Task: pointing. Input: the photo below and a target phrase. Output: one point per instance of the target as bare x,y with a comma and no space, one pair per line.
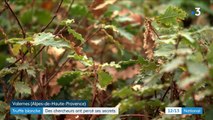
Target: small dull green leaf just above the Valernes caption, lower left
22,88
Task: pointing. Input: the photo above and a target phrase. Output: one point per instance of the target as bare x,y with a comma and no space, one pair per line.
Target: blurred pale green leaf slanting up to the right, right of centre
175,63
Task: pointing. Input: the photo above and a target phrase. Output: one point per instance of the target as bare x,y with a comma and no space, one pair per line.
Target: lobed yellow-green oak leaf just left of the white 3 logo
171,16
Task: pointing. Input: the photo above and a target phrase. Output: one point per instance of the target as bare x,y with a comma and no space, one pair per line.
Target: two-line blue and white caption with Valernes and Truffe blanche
37,107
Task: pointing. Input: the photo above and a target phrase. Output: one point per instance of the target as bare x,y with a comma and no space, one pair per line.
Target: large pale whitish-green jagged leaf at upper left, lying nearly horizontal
48,39
